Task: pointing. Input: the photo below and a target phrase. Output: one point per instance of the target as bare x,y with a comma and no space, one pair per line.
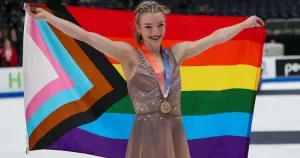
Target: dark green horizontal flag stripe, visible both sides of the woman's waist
203,102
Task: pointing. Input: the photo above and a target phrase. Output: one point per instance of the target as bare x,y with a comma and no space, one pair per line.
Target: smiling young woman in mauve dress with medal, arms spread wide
152,74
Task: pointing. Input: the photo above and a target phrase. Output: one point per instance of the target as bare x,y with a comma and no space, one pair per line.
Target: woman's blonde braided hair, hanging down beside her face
145,7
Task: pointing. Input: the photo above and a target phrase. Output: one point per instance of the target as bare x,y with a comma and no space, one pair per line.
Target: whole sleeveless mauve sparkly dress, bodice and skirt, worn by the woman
156,134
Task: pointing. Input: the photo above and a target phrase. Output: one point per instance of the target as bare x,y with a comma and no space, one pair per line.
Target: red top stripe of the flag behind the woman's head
111,23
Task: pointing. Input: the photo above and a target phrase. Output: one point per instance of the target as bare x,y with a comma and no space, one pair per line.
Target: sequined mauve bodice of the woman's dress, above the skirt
144,89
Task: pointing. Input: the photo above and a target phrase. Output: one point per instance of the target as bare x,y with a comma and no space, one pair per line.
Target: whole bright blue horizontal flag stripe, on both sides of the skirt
118,126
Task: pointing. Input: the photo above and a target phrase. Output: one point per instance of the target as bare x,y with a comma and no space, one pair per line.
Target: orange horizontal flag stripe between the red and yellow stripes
243,51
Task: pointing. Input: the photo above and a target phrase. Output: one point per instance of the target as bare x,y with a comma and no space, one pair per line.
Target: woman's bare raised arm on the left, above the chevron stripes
120,51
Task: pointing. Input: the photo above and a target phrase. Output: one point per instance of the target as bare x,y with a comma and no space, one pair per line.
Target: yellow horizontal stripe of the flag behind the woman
216,77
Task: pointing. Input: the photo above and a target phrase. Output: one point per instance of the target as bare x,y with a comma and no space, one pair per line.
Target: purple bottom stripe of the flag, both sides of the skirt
84,142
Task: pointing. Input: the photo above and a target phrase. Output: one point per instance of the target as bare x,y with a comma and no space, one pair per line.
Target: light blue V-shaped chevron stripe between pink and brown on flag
82,84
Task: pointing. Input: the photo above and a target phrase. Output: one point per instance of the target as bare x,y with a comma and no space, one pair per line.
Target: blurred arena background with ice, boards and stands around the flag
276,124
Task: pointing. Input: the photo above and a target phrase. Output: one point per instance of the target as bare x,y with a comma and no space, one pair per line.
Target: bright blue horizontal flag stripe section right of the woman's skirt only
224,124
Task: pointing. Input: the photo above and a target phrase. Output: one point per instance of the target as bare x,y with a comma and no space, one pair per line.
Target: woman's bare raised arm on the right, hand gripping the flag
185,50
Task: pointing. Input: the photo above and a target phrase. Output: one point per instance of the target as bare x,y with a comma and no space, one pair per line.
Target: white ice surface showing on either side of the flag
272,114
